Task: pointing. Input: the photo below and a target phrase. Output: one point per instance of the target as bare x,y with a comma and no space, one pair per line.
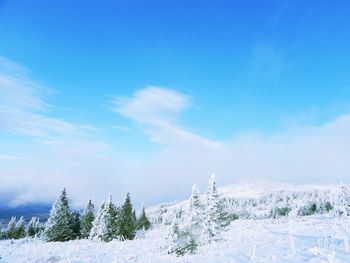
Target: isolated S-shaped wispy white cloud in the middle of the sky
157,111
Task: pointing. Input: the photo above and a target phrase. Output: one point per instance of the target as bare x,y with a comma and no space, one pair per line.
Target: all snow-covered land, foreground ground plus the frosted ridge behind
320,237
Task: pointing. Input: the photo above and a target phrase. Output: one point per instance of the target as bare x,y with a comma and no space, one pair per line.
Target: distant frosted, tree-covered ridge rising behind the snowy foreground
258,200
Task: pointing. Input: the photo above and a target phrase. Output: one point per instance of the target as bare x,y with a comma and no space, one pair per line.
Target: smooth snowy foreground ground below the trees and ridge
304,239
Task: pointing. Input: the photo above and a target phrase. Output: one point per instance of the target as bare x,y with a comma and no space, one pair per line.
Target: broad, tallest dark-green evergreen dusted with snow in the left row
59,225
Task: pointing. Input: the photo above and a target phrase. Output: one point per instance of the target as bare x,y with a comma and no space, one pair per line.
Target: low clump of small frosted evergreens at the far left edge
17,229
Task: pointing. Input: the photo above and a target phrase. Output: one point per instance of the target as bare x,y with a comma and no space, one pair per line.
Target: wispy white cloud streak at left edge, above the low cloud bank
23,109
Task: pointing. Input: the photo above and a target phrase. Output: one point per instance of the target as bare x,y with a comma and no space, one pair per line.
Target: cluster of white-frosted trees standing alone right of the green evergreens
202,223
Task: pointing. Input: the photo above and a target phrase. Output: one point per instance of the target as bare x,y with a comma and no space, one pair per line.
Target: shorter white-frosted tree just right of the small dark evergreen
99,229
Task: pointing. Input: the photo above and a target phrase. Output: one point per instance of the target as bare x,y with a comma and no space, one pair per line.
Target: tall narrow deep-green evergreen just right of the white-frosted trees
126,221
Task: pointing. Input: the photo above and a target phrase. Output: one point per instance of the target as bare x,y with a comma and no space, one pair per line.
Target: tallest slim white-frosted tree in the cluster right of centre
213,212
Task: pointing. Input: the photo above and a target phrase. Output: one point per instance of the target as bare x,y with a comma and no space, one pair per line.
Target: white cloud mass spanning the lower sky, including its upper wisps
58,153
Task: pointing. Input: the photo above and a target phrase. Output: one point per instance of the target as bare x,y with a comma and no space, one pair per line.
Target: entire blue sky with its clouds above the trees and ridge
208,73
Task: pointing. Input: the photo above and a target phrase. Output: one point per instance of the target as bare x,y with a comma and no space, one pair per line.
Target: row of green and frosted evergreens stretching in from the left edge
111,222
